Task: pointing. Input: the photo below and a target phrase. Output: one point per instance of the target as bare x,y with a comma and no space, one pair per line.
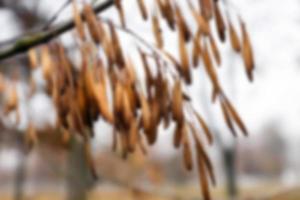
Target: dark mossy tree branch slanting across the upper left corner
23,44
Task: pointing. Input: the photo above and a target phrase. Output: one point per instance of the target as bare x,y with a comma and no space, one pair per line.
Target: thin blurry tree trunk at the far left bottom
19,182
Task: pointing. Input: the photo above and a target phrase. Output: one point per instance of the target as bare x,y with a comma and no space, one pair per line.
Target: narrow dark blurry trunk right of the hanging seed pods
229,159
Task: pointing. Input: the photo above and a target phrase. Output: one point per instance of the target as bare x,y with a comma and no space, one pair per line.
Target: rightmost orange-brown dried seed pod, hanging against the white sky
247,52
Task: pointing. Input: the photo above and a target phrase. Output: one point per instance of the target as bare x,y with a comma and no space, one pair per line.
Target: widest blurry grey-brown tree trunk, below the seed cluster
79,177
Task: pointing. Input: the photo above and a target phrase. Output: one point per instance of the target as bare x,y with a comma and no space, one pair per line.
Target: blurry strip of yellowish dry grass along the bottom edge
261,192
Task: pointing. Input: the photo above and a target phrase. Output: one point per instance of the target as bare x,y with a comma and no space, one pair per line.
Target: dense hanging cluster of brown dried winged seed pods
106,84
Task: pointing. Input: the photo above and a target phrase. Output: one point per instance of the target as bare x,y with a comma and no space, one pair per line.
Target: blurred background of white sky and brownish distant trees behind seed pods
266,165
